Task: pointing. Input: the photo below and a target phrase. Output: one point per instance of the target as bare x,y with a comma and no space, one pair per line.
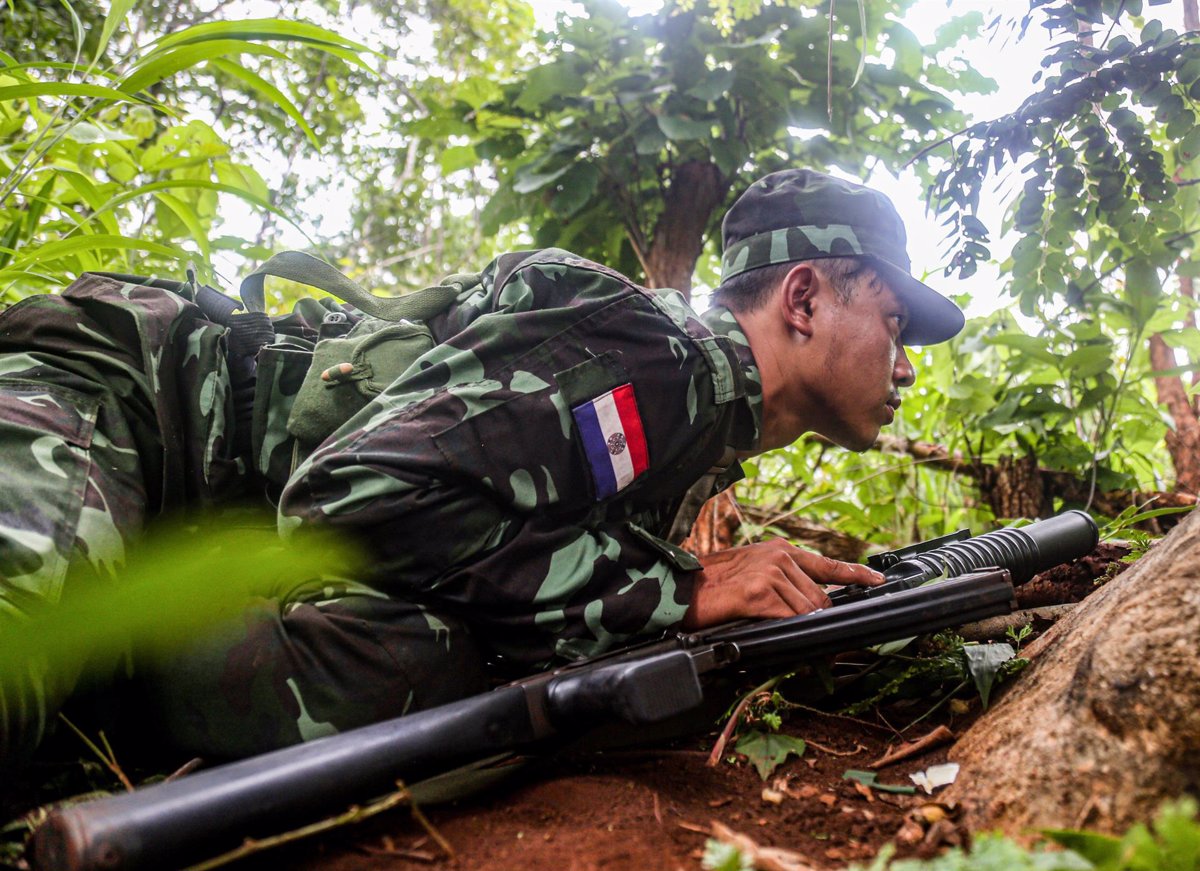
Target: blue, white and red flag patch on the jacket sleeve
614,440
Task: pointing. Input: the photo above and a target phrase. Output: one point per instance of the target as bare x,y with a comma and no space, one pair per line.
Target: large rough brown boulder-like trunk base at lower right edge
1106,724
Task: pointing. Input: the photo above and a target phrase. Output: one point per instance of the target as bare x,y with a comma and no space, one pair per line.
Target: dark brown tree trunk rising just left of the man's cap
697,190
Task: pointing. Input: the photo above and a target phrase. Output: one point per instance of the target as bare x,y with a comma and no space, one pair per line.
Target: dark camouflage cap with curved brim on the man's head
805,215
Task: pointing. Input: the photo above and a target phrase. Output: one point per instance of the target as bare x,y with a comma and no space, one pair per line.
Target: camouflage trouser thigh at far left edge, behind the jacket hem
71,500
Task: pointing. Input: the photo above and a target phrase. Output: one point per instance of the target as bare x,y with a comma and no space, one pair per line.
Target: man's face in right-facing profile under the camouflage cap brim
862,363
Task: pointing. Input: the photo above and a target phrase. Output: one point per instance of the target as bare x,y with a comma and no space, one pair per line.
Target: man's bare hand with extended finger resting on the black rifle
772,579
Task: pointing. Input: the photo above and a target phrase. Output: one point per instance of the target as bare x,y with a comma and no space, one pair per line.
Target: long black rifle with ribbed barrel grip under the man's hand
203,815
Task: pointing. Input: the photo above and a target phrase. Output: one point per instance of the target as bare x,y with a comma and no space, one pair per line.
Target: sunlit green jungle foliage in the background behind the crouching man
125,139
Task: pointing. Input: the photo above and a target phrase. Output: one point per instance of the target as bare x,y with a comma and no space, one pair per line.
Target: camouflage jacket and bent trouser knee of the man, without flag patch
489,532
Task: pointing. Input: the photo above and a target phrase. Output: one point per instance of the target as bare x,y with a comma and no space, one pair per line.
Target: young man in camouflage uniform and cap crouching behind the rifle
521,491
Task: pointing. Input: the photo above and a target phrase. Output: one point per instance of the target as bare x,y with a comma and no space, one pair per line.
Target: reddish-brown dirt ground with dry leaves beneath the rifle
656,808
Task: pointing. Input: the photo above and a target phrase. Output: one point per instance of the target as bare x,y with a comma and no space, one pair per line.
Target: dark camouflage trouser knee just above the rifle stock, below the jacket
290,672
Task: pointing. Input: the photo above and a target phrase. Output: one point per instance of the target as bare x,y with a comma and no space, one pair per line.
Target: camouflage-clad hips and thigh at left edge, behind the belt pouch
115,409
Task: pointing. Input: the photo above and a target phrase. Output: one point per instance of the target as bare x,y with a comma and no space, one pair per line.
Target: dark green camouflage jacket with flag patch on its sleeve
529,472
